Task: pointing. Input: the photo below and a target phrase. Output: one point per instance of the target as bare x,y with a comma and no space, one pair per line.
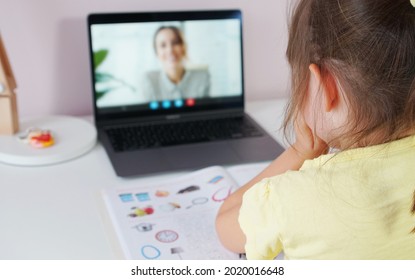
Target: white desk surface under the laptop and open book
55,212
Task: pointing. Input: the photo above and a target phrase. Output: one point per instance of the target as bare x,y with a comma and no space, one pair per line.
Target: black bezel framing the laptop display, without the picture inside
234,103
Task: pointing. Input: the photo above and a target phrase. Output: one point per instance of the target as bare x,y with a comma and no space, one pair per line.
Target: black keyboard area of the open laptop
135,137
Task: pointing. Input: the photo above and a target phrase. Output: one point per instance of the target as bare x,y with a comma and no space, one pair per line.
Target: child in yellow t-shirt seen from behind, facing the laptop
353,89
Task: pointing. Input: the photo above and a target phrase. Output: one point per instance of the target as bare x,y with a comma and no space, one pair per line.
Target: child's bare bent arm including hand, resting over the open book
306,147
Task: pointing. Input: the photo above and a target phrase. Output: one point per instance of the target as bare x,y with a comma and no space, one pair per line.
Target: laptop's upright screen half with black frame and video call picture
163,63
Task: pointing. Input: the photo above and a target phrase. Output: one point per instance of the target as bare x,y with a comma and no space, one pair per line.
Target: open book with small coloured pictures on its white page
175,219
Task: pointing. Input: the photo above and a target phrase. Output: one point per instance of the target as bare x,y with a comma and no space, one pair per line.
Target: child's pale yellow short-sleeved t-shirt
352,205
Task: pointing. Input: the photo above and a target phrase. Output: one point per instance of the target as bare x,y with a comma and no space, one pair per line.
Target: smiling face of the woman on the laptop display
169,48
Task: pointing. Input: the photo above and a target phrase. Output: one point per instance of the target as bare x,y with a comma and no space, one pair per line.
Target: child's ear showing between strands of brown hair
327,86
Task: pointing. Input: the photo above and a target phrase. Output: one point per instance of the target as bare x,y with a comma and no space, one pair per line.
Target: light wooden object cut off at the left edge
9,122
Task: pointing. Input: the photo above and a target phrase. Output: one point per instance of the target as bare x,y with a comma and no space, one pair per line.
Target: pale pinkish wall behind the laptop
46,41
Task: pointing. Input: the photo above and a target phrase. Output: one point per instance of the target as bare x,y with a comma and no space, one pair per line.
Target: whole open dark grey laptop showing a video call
168,92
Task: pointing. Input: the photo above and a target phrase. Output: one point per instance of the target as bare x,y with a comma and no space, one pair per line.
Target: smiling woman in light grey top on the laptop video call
174,81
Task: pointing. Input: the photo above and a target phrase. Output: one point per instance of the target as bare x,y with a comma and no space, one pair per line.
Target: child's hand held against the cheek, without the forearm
307,145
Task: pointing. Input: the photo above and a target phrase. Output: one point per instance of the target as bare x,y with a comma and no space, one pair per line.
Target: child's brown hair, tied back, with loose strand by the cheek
369,47
